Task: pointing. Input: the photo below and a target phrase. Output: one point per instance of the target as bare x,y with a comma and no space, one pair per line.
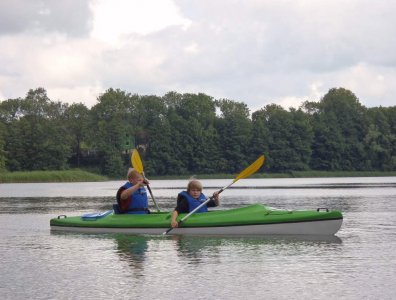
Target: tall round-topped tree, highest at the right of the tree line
340,128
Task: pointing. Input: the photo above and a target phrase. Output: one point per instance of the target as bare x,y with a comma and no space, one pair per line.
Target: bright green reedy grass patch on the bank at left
75,175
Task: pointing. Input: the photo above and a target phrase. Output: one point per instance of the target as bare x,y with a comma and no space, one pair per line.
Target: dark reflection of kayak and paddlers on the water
196,250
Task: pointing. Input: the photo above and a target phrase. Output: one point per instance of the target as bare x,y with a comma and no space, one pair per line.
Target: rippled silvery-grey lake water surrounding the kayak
358,263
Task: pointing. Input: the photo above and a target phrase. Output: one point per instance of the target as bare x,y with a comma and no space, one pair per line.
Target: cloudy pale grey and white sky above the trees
254,51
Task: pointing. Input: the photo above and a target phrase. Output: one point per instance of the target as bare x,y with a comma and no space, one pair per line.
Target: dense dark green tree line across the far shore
195,134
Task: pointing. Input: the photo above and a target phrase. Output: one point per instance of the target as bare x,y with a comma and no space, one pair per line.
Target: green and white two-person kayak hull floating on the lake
251,220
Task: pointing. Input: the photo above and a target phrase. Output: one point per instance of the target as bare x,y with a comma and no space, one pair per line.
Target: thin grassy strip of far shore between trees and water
78,175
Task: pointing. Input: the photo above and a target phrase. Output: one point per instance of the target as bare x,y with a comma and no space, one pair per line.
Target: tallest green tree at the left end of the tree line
36,135
